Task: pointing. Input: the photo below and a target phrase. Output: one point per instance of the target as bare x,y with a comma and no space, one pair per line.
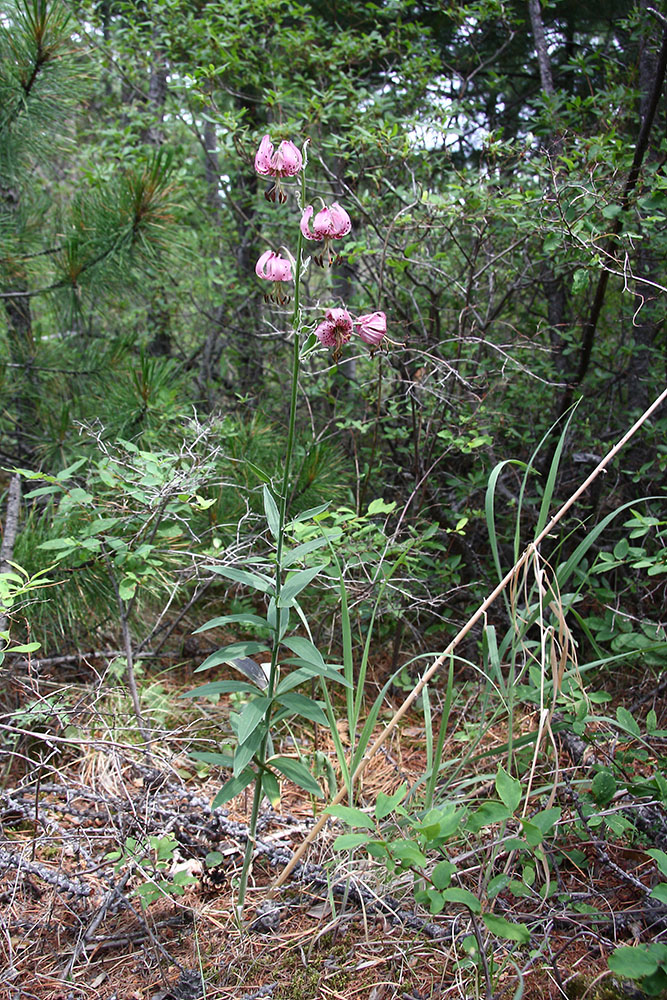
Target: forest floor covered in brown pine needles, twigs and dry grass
72,920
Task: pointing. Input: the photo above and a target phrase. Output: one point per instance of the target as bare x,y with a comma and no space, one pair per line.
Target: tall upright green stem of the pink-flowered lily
277,633
